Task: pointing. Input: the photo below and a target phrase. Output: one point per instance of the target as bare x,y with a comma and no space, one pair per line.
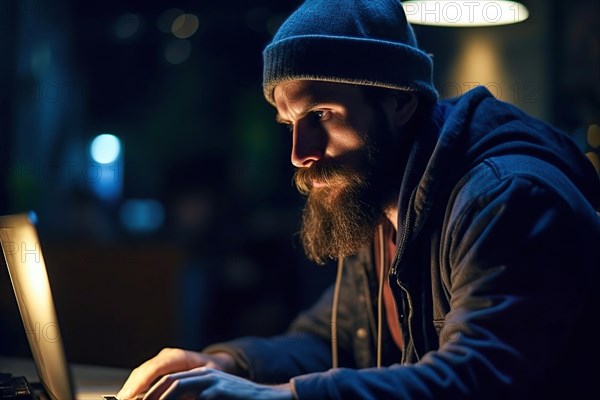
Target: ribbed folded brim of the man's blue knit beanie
348,60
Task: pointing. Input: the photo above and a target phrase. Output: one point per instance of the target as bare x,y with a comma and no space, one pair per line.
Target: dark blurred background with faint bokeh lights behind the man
190,236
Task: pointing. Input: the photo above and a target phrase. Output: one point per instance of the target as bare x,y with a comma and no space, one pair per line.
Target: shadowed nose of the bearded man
308,145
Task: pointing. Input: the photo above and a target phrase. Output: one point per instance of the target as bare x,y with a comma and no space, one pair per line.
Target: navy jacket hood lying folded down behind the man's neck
465,131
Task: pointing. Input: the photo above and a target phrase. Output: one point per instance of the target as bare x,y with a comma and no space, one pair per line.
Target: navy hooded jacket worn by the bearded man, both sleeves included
493,278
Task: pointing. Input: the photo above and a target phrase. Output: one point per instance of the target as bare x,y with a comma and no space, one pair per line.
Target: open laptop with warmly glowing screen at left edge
27,270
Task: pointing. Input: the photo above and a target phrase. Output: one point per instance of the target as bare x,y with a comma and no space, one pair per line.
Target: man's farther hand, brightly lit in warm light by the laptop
168,361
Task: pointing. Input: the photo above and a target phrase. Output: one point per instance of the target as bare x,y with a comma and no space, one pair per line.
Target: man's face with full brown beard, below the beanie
340,146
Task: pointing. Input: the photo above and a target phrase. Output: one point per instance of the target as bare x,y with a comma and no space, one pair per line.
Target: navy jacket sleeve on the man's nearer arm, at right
519,260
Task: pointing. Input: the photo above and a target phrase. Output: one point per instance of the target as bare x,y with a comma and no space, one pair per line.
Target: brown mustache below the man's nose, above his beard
327,173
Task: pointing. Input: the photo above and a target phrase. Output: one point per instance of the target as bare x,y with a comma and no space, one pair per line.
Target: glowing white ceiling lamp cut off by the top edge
464,13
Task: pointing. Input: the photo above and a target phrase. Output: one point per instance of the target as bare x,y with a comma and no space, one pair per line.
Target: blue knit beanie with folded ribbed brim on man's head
365,42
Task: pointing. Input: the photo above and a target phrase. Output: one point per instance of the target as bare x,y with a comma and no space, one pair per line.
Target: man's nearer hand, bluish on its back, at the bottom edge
206,383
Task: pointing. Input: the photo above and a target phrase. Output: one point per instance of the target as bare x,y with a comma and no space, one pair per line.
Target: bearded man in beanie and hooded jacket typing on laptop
465,232
